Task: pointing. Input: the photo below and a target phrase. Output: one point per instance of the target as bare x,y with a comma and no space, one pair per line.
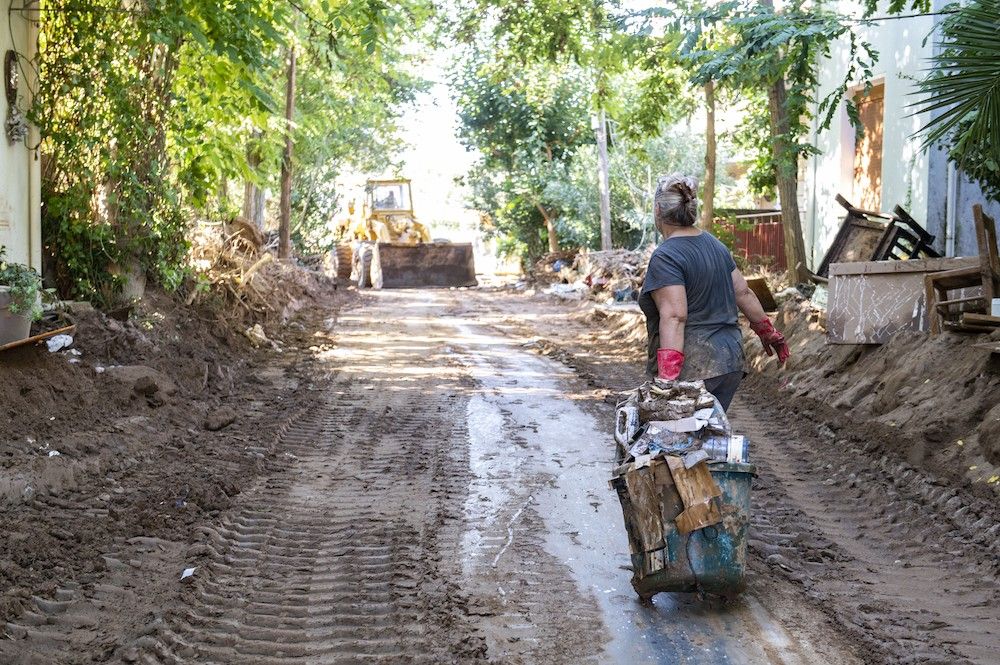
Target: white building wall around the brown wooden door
905,168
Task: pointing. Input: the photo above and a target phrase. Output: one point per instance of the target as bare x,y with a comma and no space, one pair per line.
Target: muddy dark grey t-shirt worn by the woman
713,342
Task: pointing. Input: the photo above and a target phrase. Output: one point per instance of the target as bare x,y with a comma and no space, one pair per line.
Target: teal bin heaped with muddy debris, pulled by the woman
684,485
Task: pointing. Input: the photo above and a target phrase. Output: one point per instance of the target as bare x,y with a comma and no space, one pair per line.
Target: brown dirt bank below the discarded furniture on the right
932,400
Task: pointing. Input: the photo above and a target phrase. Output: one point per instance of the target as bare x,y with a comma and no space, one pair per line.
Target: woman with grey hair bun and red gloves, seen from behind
691,297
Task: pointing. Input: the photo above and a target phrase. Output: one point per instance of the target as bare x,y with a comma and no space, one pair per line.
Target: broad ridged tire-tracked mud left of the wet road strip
346,556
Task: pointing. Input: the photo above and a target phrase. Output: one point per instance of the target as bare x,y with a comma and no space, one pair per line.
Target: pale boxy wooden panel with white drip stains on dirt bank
869,302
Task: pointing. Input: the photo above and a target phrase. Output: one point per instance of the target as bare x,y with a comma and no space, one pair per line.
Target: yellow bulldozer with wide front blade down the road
388,248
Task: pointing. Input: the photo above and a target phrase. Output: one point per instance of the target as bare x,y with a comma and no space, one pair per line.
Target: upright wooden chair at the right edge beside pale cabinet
986,276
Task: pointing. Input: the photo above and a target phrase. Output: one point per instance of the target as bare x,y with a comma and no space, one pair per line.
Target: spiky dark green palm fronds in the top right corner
962,91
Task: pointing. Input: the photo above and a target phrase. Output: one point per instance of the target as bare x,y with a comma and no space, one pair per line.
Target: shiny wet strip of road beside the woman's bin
530,443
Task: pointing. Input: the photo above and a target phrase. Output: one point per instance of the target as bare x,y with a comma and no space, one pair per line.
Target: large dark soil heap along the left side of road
141,429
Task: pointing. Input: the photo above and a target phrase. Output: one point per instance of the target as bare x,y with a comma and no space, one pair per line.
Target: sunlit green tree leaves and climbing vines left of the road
148,114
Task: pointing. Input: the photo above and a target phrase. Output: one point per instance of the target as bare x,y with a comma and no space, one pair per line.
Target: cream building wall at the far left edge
20,207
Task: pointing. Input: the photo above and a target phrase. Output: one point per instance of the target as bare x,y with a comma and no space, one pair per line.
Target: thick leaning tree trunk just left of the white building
786,175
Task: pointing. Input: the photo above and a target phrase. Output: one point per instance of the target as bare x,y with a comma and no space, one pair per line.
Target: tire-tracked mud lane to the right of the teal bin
900,562
